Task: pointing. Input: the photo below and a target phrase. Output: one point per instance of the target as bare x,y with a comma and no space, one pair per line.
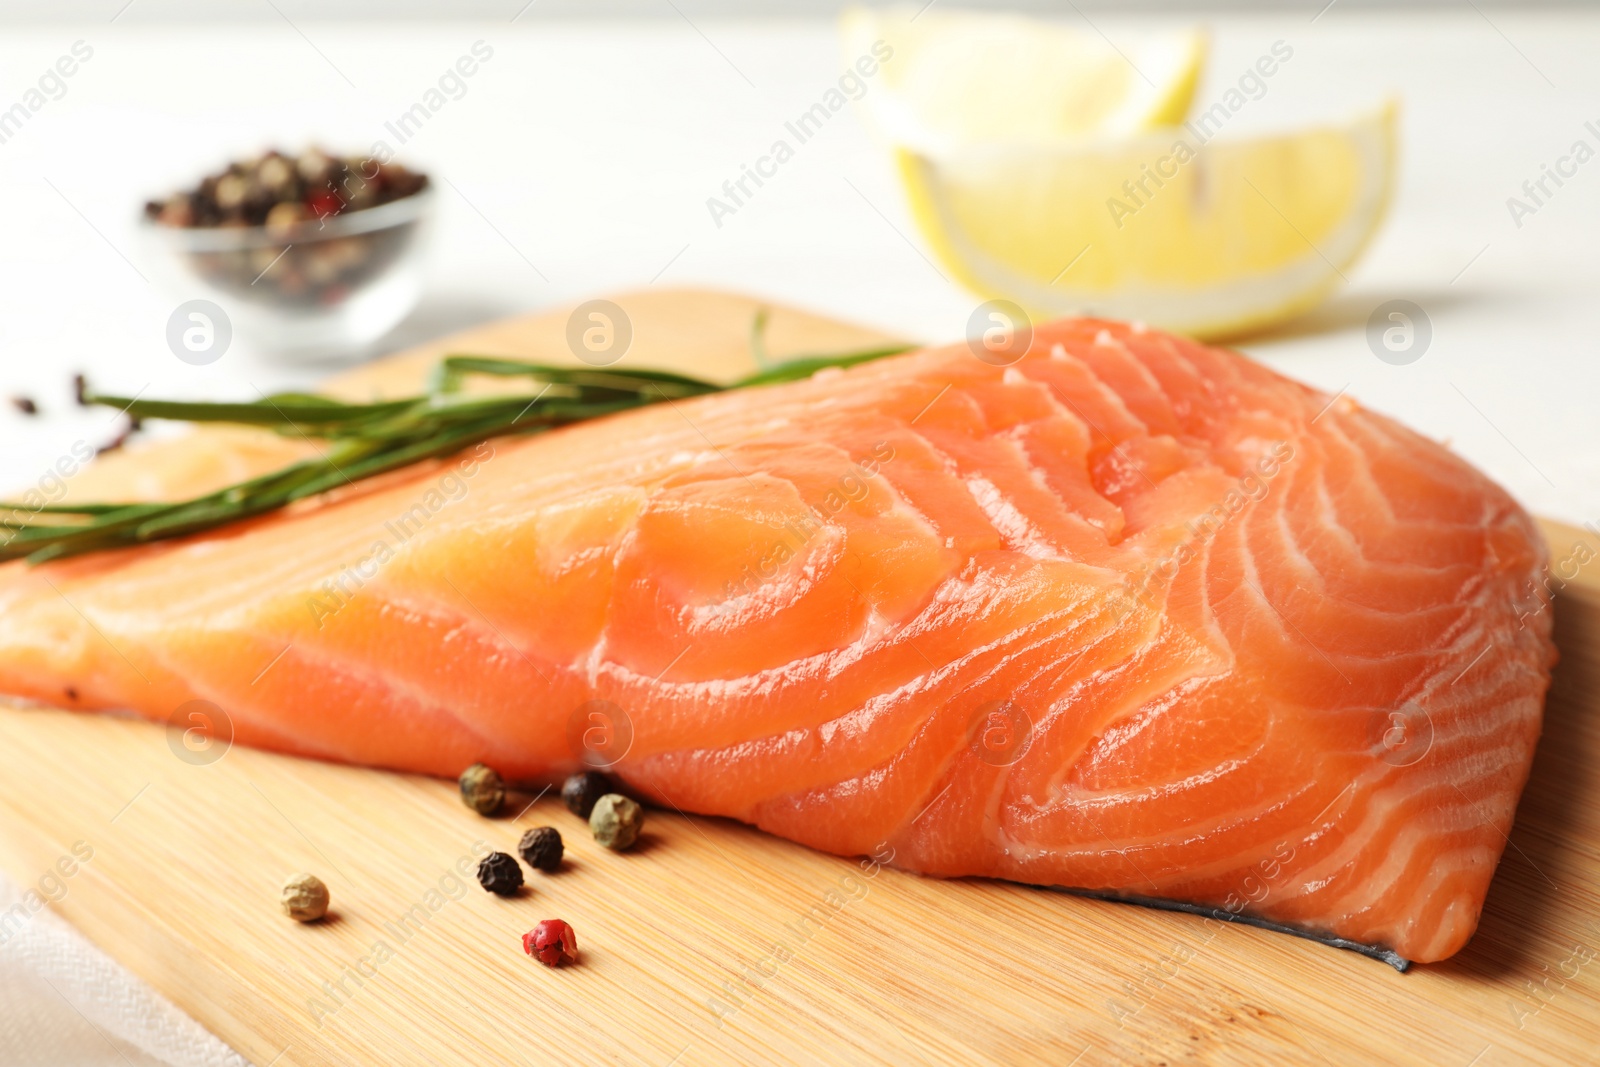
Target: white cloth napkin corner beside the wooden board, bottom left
66,1004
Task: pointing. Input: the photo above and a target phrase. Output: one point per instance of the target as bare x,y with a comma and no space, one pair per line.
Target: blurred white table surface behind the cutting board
585,154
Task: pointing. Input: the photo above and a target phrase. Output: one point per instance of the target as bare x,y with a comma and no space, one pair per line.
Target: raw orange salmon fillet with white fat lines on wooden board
1130,615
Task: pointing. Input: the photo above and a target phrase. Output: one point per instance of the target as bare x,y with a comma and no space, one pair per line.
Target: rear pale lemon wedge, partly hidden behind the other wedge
954,81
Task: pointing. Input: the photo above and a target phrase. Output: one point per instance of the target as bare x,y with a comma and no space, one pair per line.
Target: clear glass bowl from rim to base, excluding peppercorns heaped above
314,290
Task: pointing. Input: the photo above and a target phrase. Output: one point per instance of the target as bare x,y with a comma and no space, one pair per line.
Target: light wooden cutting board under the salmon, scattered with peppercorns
718,945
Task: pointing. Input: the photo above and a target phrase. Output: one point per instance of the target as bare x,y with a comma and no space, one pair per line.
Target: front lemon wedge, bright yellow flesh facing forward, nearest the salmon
1204,238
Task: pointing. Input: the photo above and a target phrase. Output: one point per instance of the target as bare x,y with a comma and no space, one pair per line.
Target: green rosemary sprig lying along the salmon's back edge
367,439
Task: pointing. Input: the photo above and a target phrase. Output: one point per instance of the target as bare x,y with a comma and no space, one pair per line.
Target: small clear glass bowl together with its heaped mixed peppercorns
308,255
